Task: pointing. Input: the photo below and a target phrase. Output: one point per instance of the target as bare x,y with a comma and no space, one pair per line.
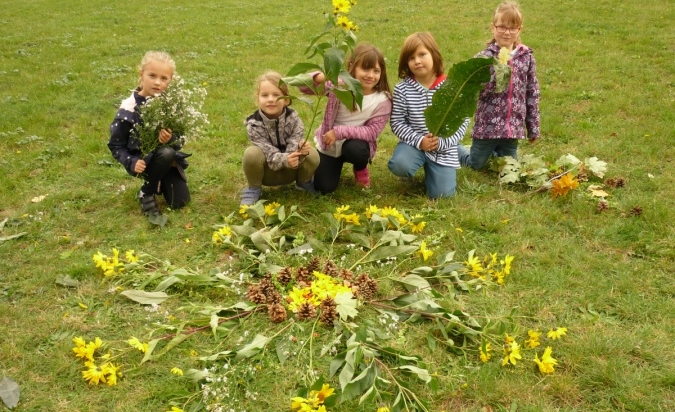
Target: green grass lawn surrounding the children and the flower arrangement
606,76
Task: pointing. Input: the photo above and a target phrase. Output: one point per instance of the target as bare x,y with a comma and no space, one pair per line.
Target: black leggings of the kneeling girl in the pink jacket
327,175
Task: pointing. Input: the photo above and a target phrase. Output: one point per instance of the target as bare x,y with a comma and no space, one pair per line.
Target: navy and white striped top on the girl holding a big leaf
408,124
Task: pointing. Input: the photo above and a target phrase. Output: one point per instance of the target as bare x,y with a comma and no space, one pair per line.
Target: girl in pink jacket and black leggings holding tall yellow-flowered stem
350,135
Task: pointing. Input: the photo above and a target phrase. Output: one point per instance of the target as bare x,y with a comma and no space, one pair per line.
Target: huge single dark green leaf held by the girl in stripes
457,97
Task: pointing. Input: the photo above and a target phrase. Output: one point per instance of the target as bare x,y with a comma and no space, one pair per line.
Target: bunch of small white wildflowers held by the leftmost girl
178,108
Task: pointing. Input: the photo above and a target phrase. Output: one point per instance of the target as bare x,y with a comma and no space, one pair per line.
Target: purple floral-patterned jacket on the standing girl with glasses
506,115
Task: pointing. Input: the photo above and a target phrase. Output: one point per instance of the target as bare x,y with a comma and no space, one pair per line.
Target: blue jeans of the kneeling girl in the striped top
440,181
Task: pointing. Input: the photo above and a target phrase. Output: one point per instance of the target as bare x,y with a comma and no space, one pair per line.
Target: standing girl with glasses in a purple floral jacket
503,118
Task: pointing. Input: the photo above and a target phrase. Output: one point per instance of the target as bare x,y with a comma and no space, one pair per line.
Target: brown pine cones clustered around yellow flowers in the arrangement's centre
267,291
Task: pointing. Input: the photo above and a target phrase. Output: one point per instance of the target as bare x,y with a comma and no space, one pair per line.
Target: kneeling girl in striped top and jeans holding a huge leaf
421,68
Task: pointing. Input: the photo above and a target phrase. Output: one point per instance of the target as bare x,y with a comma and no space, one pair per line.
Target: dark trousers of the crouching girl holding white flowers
161,173
